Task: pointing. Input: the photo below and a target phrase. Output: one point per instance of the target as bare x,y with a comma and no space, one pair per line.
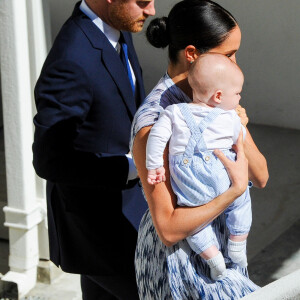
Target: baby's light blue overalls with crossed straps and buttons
198,176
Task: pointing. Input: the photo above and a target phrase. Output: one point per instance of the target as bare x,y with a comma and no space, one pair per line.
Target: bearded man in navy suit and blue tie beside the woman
87,94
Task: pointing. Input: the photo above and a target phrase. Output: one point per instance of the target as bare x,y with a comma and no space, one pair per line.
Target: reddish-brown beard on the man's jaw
122,21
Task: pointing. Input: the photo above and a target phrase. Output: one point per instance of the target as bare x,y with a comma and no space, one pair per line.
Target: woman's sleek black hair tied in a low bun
201,23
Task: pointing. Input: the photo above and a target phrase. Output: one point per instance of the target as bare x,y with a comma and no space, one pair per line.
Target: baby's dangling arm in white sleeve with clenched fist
158,138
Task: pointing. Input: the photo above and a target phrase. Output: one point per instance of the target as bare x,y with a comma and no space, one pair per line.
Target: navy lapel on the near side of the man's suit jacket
110,57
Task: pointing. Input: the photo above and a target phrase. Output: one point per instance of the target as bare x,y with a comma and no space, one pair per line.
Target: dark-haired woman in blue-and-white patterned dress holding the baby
166,266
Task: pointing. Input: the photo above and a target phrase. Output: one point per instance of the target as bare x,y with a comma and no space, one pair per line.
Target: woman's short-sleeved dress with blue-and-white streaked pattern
177,272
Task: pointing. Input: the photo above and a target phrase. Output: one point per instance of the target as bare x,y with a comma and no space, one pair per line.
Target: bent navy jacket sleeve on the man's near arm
63,99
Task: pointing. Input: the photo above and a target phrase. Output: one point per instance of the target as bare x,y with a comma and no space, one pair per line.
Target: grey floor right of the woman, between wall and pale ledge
274,244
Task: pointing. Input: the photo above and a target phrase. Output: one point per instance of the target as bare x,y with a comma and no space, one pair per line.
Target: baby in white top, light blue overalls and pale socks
194,131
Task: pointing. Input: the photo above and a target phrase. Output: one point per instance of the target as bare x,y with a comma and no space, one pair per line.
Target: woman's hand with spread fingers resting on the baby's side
237,170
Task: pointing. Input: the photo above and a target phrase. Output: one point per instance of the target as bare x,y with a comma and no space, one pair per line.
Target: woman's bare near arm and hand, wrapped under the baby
174,223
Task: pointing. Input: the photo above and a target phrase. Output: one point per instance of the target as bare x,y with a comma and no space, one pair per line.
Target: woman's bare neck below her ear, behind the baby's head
178,73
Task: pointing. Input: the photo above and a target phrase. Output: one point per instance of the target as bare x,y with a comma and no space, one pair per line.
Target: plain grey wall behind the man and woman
268,55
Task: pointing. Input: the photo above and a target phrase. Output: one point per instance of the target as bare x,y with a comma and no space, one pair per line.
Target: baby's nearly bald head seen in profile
216,81
